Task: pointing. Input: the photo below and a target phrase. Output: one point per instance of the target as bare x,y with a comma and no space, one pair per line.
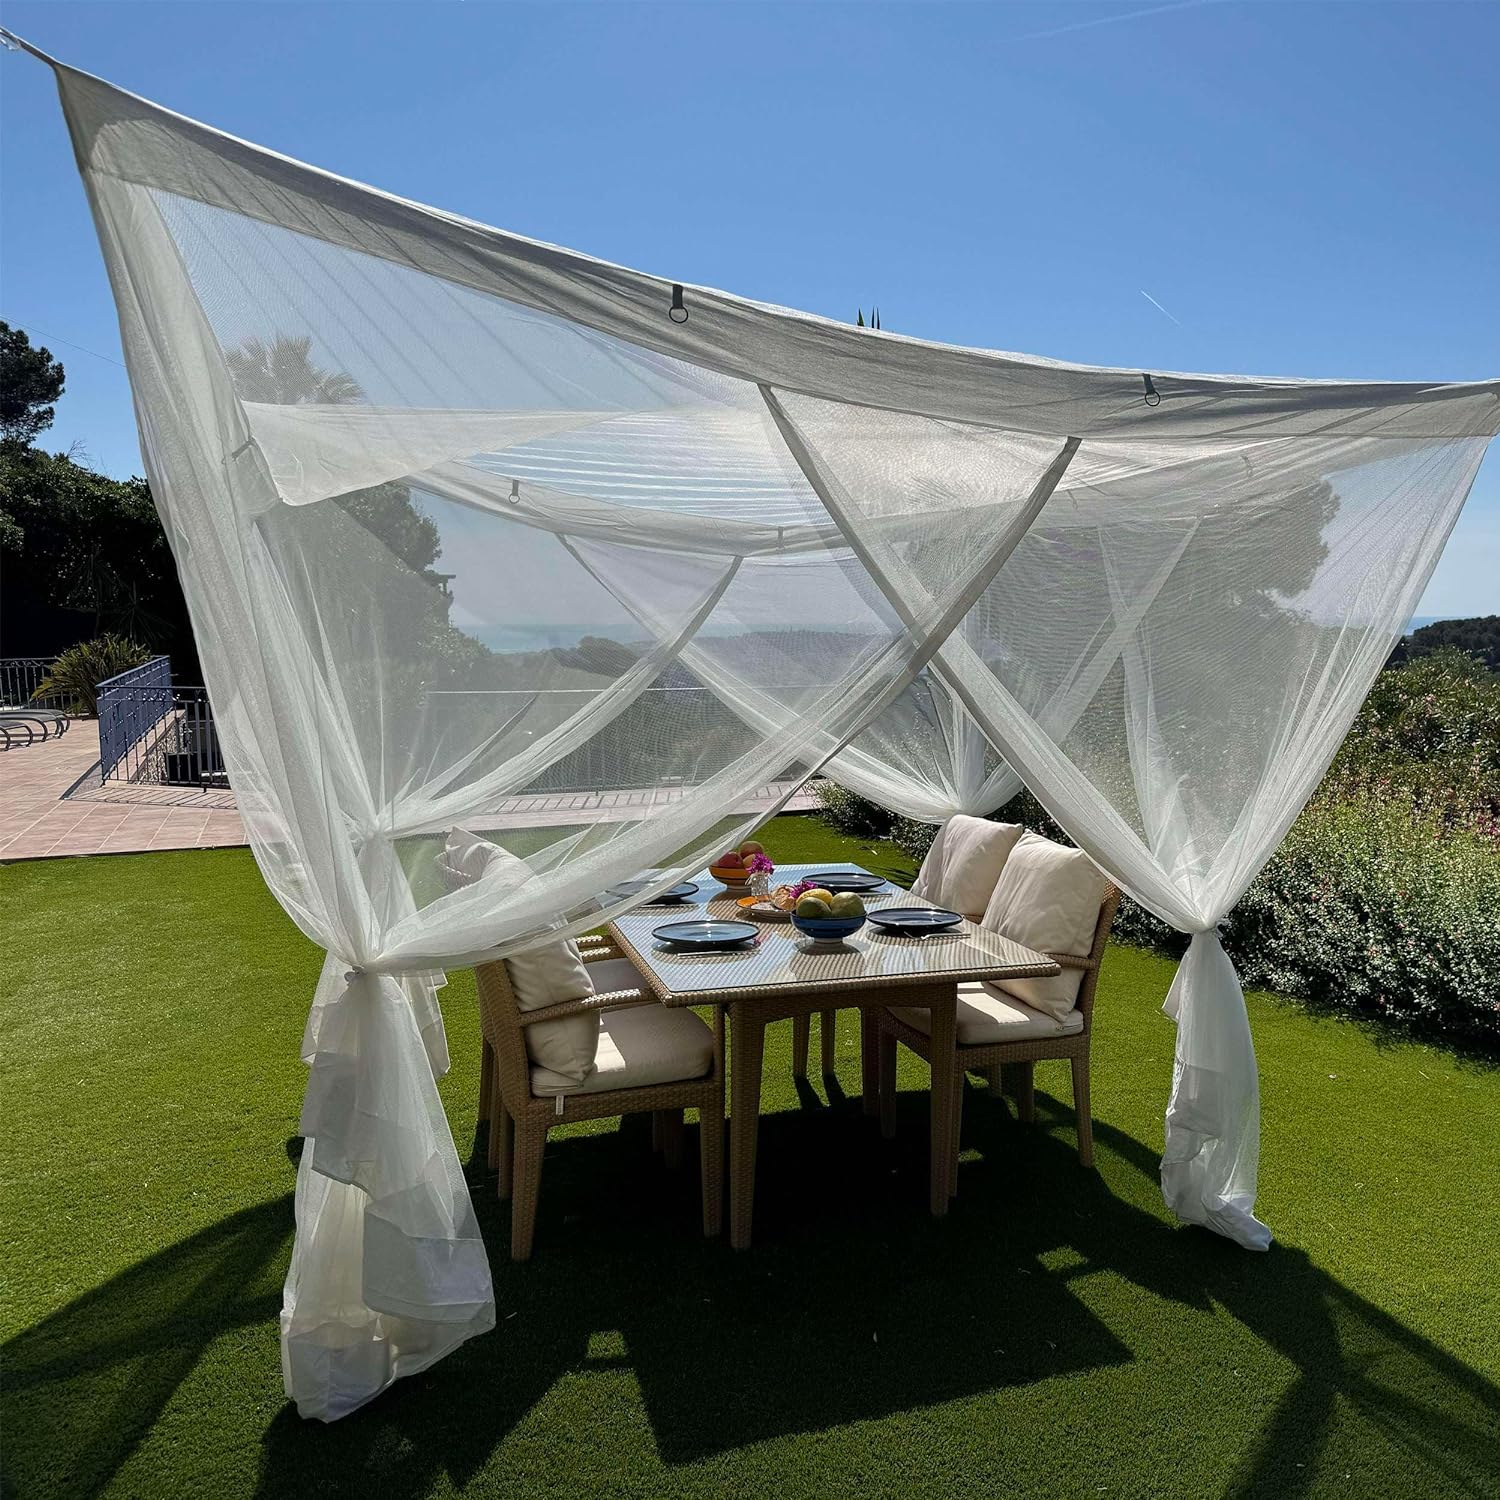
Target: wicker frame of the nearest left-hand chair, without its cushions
520,1120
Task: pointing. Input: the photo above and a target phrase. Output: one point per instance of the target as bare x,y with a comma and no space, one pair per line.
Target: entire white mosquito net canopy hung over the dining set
767,544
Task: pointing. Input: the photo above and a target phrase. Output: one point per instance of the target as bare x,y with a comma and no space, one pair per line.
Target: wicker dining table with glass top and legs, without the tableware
788,976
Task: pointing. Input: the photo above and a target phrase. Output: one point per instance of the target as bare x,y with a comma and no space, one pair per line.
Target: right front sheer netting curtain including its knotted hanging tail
1228,631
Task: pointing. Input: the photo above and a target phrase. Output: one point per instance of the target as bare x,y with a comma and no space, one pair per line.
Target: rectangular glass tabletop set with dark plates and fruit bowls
787,959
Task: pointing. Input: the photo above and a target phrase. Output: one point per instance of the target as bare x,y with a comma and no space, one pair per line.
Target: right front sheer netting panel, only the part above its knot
1184,647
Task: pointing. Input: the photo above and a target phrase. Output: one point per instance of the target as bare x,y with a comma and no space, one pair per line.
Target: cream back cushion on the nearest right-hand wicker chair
1048,898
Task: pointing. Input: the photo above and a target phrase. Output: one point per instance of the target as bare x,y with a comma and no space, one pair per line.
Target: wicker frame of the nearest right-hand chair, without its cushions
1019,1057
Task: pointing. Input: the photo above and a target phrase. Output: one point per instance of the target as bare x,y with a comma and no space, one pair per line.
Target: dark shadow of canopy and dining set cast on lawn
853,1306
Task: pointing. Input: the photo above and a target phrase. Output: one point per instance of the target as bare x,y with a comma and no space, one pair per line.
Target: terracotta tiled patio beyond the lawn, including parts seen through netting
53,805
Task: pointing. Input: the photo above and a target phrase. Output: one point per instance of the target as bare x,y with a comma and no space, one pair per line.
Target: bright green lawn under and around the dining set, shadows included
1055,1336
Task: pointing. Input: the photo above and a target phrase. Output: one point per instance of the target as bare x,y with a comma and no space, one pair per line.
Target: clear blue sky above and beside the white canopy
1222,185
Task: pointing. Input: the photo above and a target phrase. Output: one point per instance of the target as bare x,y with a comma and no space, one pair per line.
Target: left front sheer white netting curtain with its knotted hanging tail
487,556
